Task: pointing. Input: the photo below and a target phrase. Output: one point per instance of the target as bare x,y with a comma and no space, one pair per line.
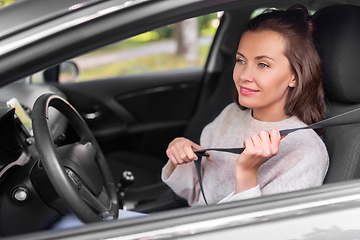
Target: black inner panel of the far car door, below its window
139,113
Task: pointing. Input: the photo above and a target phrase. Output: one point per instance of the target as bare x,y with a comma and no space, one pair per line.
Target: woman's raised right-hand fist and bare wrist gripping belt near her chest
258,149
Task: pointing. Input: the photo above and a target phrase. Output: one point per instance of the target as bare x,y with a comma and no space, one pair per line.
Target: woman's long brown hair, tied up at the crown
306,100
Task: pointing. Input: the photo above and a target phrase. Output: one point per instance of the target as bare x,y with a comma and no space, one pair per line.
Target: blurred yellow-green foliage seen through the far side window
206,28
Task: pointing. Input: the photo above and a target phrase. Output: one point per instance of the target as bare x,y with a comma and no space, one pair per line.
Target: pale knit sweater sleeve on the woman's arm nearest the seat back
302,166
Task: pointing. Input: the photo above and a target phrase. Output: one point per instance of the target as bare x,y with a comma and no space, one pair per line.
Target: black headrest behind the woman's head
337,39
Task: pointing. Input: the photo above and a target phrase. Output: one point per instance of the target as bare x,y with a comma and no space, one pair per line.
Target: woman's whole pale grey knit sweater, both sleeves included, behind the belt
302,160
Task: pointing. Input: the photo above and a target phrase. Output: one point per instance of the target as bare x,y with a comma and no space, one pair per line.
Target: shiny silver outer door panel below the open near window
311,214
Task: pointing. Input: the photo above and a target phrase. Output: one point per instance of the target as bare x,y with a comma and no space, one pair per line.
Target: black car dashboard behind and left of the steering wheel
22,177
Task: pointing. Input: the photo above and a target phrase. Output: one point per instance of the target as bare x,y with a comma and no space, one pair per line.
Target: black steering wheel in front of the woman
78,171
